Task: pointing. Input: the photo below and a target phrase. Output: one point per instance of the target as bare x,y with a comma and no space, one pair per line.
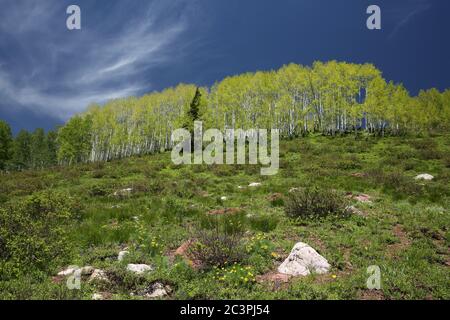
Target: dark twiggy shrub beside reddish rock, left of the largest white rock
217,248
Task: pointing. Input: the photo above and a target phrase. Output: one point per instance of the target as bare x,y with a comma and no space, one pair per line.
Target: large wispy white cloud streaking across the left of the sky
61,72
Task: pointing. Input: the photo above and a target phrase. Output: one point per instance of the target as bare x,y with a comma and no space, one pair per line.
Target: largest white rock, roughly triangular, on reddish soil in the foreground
304,260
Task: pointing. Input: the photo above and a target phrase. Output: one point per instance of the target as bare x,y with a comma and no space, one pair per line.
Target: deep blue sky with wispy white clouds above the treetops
131,47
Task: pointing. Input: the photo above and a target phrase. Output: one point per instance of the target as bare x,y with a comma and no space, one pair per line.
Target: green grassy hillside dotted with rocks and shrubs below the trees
75,216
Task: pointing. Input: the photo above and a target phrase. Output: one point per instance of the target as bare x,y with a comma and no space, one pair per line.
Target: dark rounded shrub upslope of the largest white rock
315,203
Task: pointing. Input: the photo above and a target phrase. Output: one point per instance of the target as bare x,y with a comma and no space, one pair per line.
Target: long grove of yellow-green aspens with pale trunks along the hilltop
330,98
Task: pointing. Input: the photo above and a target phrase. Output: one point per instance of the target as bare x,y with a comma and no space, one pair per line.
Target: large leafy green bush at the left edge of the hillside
33,233
